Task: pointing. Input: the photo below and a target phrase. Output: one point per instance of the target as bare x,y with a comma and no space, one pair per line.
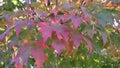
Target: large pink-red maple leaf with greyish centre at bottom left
26,51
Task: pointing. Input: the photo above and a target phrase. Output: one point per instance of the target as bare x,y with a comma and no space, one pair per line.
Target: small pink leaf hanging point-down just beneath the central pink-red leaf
58,46
